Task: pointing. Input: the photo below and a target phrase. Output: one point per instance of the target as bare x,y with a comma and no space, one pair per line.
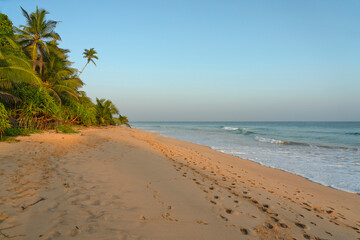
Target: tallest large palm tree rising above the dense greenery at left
35,36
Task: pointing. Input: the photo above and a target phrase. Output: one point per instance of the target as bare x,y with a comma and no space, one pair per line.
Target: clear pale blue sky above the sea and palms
206,60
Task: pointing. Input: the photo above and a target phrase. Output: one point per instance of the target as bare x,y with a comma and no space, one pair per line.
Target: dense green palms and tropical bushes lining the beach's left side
39,88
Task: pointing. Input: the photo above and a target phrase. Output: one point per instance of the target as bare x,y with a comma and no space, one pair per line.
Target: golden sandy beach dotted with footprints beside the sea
121,183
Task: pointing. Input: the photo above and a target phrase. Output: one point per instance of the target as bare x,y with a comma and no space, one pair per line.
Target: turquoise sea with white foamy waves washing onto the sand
324,152
